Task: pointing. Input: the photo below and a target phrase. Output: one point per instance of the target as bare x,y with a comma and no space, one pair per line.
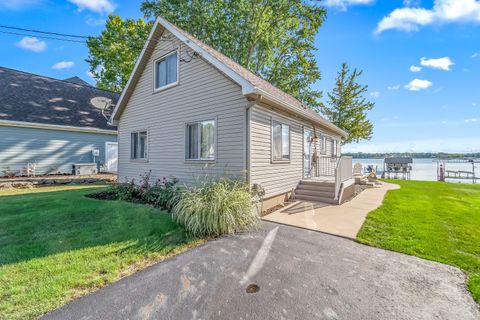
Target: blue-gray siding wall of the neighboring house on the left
52,150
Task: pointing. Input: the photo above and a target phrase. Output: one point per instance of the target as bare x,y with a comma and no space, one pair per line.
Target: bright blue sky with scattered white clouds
421,60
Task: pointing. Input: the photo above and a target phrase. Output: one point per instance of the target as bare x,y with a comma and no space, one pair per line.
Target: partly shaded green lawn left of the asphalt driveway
57,245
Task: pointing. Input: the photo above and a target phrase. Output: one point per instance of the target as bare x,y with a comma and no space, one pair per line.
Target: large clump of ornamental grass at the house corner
214,208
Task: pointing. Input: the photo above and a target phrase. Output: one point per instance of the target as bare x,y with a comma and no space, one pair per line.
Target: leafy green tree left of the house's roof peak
113,53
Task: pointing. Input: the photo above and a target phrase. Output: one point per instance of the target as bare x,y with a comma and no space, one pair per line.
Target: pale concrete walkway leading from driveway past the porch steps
342,220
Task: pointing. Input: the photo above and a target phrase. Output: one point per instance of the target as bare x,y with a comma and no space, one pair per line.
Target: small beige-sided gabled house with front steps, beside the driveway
189,111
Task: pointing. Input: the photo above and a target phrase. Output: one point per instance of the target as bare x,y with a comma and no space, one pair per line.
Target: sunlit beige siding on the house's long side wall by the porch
278,178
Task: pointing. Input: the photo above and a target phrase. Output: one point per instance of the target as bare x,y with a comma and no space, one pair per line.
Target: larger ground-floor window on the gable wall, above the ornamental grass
200,140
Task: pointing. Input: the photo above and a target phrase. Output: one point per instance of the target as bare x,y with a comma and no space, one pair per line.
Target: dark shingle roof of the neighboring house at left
33,98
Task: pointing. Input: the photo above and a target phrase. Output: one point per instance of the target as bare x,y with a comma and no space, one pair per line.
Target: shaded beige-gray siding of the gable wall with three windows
203,93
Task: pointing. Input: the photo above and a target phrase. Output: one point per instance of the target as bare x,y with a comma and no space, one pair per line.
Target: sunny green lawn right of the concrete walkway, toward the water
431,220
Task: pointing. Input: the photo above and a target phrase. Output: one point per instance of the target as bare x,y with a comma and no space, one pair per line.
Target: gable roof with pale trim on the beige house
251,84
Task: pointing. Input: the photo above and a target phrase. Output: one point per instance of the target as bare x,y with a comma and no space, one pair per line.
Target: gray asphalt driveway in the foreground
301,274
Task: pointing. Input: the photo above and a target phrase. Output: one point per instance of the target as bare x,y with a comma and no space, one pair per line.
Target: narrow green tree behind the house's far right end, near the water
347,107
